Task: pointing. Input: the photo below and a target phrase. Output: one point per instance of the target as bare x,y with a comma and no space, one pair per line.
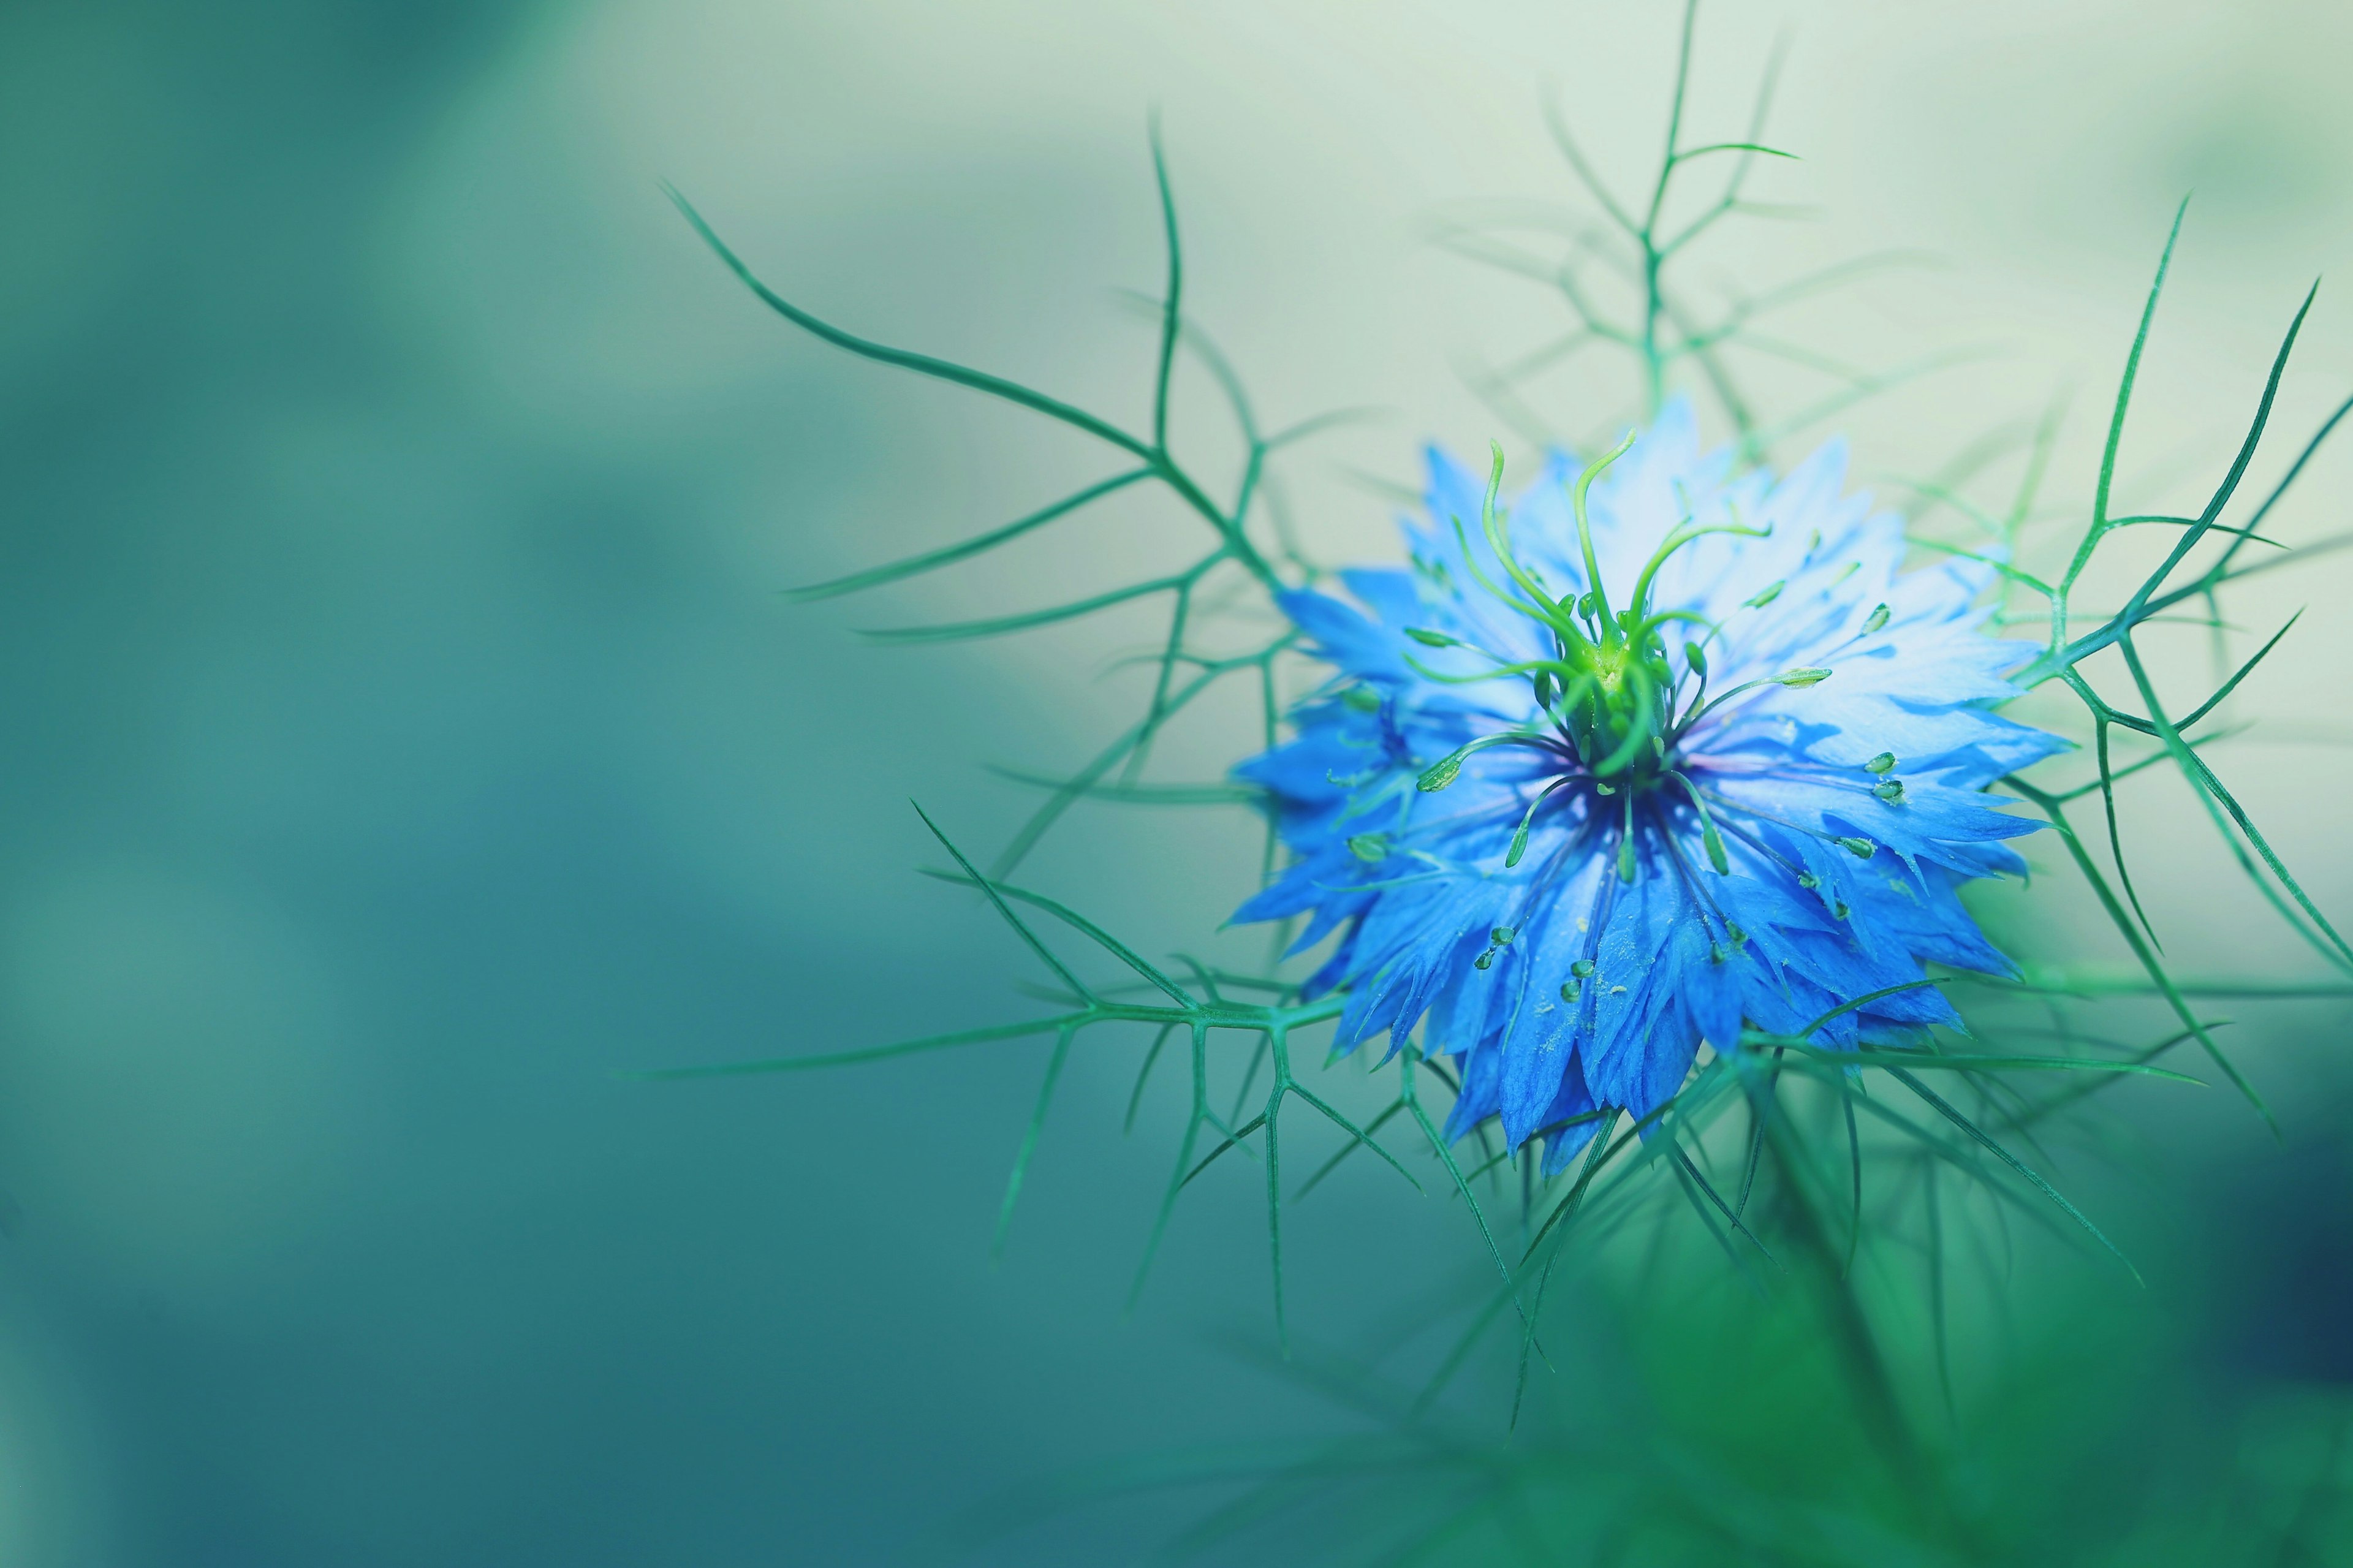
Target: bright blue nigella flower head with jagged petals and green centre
1655,752
